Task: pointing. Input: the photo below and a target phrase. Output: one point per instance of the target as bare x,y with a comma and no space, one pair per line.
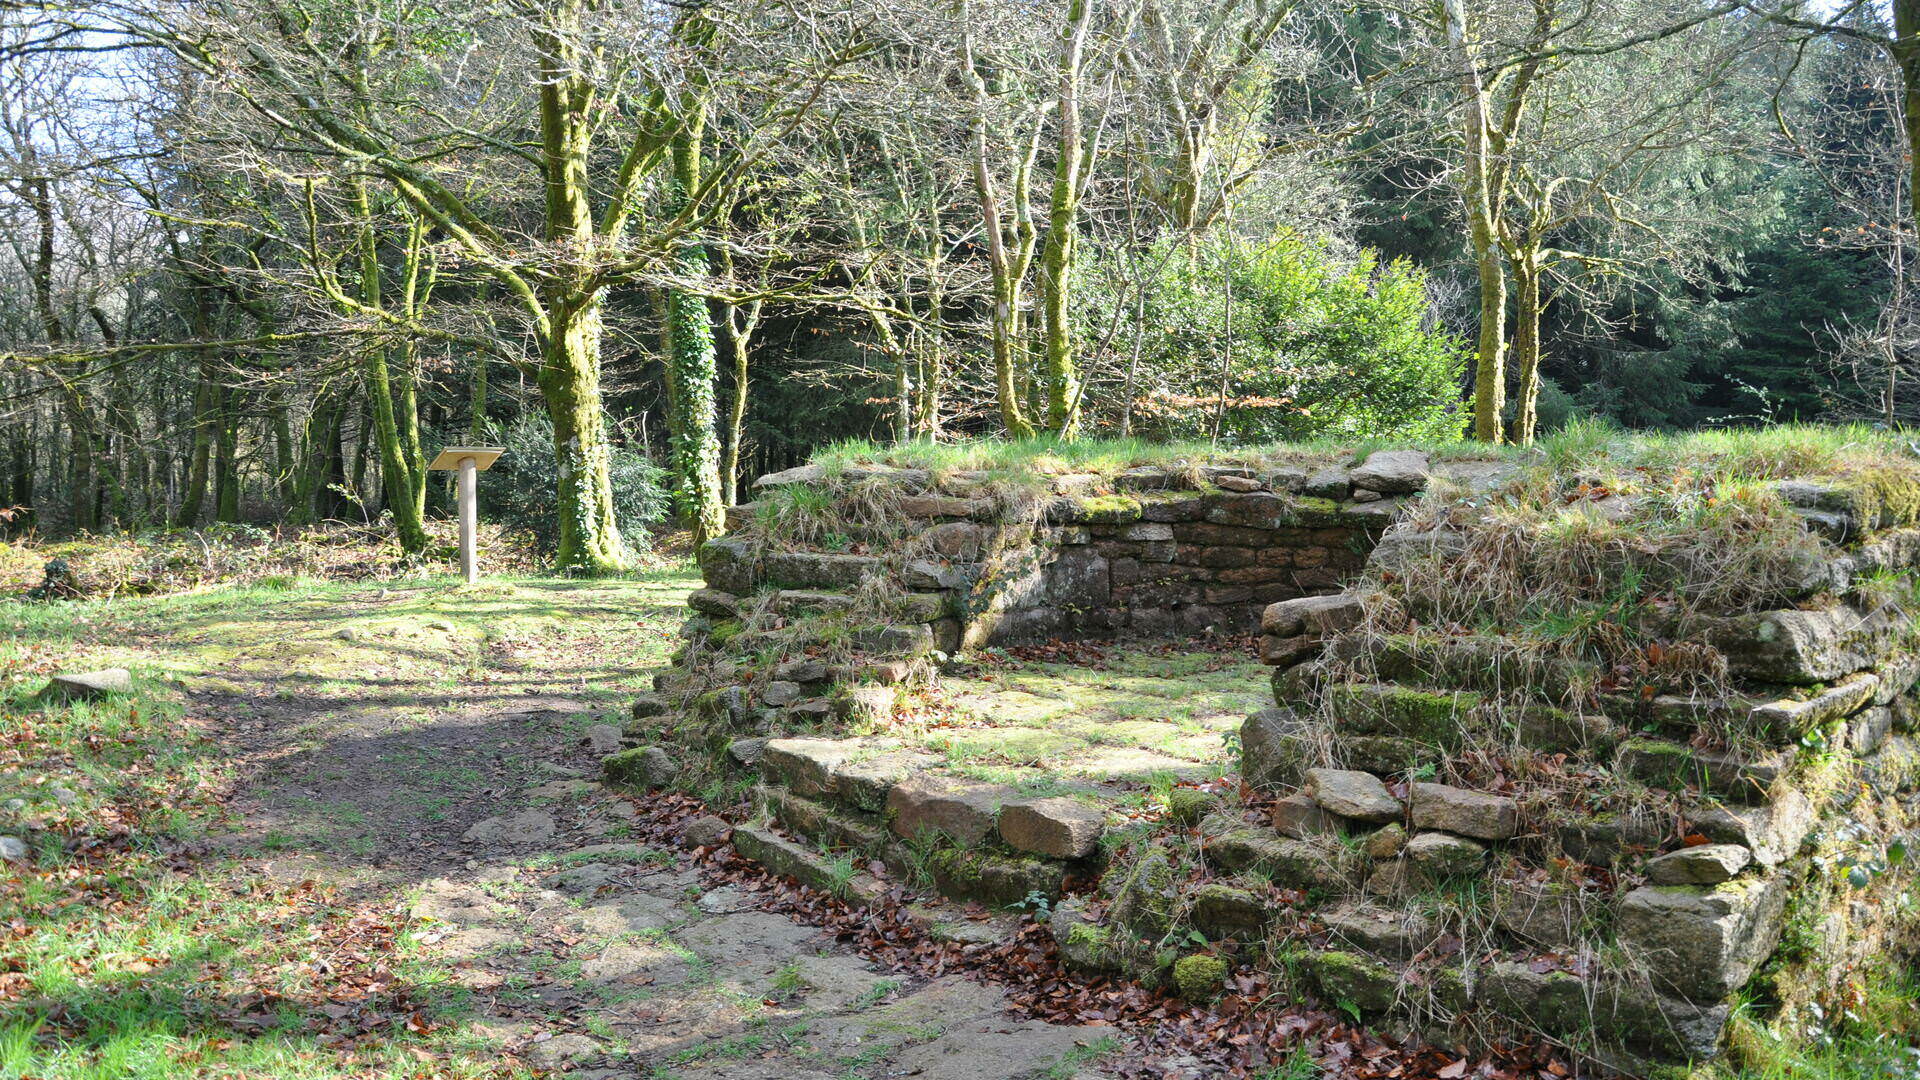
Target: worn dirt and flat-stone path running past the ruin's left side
452,777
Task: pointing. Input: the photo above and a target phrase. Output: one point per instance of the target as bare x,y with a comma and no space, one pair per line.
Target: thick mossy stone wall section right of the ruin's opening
1596,854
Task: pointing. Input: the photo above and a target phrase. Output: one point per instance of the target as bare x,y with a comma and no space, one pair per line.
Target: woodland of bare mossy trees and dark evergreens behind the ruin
266,257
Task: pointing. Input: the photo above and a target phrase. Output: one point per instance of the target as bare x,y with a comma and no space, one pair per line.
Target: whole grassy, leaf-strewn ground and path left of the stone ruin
356,831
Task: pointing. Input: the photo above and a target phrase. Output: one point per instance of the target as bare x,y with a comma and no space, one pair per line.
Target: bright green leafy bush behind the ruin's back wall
1314,345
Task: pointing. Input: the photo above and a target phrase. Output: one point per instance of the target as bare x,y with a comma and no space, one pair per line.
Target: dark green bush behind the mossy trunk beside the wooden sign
521,489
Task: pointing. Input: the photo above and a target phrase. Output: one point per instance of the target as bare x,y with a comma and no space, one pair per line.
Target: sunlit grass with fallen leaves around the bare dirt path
137,952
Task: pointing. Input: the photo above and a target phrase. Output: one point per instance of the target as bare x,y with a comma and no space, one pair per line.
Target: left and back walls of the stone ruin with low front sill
811,631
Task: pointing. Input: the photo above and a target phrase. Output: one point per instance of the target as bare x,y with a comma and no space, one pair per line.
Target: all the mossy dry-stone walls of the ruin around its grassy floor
1447,827
